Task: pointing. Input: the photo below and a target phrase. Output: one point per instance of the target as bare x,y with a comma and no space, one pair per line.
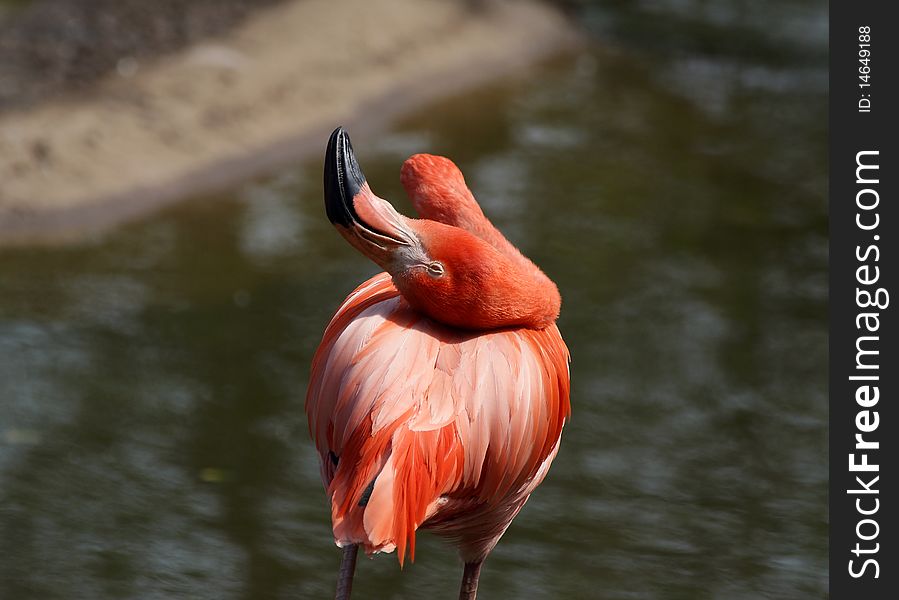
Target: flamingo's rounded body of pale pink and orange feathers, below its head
420,425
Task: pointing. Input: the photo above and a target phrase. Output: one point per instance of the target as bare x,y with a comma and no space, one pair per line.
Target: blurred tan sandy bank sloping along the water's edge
242,104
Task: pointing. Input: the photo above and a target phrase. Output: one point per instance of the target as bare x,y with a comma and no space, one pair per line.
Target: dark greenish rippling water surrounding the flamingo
671,181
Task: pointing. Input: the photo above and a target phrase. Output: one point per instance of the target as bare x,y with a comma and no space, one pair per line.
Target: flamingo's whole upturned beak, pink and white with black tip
369,223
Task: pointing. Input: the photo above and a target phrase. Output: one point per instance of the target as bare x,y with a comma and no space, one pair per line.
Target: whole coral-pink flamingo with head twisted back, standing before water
440,388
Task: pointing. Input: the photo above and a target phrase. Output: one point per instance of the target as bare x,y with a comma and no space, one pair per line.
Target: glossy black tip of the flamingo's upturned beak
343,179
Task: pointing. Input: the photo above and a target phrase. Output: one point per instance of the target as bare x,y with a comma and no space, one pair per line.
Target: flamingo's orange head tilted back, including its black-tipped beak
450,274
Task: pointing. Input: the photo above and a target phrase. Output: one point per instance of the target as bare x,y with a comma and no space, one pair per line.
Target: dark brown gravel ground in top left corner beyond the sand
52,46
